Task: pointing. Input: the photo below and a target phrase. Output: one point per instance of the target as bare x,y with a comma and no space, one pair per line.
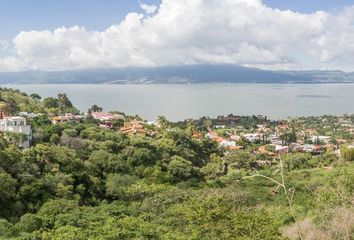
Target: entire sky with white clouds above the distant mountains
269,34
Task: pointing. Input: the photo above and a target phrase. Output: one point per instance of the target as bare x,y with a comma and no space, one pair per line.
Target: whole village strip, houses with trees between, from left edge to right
314,135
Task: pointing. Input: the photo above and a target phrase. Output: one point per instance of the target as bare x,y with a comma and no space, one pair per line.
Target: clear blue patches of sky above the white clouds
26,15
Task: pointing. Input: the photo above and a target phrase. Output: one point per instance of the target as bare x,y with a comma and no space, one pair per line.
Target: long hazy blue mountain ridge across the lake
175,75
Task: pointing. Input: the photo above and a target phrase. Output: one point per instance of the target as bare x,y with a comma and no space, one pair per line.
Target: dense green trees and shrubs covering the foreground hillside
80,181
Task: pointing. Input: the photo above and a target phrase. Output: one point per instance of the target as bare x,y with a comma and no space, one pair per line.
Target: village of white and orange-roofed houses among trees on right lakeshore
314,135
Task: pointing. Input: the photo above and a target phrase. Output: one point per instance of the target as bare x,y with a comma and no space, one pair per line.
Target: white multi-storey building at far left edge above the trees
17,125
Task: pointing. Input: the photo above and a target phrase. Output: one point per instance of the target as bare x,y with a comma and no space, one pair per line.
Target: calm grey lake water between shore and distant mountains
178,102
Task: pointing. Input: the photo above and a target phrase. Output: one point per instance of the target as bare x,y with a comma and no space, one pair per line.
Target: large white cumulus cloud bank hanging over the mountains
245,32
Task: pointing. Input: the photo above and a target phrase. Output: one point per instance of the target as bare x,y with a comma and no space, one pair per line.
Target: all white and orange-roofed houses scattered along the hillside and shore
261,134
